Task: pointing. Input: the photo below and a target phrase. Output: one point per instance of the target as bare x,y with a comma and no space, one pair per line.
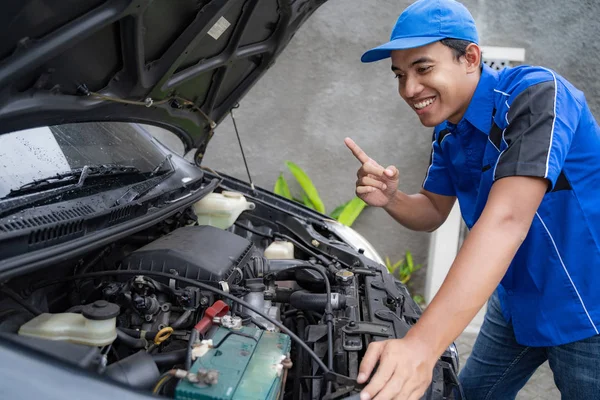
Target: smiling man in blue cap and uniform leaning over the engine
520,150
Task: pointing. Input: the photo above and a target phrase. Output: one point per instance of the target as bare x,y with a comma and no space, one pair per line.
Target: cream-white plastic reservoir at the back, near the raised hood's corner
221,209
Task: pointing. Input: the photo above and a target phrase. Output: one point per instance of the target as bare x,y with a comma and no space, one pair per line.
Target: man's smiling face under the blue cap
435,84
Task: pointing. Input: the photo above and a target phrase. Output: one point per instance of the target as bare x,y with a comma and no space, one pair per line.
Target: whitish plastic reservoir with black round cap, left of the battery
96,326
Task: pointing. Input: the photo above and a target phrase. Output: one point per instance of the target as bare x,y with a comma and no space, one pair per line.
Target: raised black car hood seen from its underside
180,64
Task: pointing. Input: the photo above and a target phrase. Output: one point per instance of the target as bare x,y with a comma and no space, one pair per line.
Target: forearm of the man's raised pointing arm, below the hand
415,212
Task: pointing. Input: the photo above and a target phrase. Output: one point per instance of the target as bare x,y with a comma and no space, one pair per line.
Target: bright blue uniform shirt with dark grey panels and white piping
529,121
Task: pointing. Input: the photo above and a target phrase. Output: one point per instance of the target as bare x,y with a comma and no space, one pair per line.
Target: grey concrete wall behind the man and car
318,92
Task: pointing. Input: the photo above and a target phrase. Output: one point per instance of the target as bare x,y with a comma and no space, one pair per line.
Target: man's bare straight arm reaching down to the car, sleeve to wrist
478,268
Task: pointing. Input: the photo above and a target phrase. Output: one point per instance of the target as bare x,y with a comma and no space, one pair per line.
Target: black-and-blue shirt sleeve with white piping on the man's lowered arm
542,120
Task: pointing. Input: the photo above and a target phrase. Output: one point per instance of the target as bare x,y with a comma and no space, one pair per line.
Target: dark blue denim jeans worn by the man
499,367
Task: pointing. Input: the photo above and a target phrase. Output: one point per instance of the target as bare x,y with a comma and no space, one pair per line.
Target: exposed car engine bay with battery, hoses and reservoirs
190,311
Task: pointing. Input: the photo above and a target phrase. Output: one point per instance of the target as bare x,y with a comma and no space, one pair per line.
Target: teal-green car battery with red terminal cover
242,364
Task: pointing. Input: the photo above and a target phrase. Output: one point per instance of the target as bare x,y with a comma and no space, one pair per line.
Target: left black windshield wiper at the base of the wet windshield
65,179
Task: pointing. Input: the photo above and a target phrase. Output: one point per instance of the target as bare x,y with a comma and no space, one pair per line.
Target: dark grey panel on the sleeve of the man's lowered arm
529,132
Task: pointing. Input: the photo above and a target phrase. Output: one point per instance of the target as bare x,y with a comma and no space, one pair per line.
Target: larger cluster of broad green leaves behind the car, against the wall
345,213
